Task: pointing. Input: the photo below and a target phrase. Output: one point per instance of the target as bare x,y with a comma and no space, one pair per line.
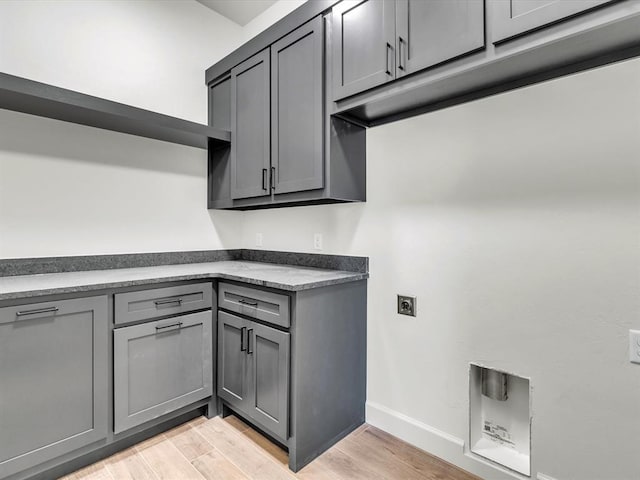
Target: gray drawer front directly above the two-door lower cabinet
268,306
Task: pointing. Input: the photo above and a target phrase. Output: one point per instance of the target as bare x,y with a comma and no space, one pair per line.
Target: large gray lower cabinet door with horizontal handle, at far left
53,380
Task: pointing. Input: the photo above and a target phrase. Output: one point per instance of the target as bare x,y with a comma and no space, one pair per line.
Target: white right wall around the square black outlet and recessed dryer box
516,221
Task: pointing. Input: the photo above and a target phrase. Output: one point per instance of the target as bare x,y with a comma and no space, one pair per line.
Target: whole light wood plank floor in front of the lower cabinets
227,449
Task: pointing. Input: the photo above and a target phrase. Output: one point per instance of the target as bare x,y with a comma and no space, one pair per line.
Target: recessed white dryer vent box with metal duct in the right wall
500,417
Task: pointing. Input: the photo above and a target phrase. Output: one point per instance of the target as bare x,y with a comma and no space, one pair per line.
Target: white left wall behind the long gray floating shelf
71,190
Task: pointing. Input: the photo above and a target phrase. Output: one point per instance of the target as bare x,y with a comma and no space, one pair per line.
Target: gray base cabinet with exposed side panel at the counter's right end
294,363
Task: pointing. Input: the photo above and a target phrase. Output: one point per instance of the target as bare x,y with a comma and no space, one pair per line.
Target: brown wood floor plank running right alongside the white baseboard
432,467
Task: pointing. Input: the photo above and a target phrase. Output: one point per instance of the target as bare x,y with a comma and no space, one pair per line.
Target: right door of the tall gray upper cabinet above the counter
296,110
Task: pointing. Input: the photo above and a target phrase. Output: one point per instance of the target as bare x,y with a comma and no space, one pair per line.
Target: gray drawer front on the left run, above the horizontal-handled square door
134,306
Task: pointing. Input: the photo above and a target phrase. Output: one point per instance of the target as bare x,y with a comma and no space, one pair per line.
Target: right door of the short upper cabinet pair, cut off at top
435,31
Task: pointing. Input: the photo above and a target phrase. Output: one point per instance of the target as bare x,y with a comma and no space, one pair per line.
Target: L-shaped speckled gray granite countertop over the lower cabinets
284,277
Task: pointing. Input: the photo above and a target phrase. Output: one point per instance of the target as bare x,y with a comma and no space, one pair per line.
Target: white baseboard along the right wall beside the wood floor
441,444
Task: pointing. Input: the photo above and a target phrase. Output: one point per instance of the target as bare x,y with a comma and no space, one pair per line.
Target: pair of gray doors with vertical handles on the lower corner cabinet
253,371
